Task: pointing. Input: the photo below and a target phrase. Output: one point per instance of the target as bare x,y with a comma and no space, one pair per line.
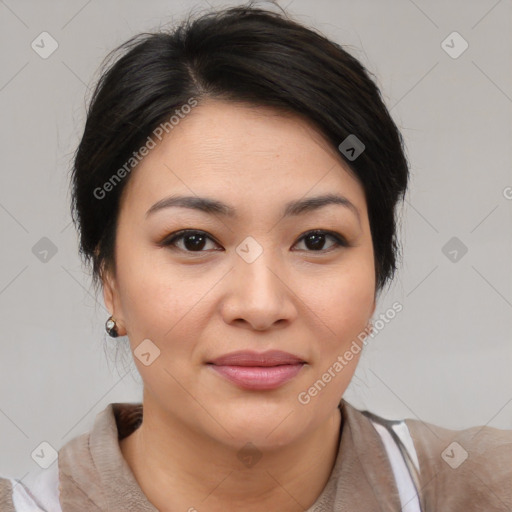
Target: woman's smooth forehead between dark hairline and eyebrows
233,150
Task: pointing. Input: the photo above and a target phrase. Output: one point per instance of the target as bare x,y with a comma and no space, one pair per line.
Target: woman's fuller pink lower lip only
259,377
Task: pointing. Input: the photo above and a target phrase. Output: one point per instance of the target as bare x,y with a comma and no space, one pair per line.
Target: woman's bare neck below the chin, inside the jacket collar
174,473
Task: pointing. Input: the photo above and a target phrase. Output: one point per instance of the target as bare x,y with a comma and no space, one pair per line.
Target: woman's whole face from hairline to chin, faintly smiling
254,280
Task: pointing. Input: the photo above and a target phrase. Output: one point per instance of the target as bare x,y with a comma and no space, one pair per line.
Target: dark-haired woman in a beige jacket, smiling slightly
235,191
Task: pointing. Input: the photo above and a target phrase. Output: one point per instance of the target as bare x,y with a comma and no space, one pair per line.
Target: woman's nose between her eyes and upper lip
259,295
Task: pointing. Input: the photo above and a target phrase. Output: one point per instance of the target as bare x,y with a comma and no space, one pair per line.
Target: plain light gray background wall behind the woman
444,359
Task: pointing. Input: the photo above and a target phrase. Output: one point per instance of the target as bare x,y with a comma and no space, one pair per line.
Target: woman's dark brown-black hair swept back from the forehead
241,54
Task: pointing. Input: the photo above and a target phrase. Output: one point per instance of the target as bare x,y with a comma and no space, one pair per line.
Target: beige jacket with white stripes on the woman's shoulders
459,471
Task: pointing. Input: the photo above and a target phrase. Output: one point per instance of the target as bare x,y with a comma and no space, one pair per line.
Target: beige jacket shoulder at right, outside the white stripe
464,469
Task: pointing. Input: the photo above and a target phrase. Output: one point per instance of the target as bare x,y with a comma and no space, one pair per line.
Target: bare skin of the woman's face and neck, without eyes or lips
195,306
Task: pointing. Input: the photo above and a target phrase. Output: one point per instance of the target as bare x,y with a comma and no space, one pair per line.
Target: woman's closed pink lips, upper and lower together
258,371
